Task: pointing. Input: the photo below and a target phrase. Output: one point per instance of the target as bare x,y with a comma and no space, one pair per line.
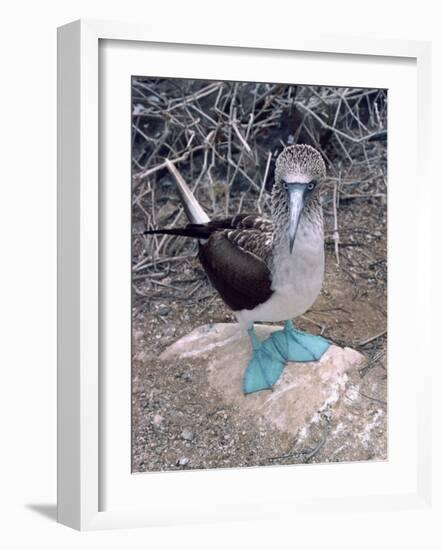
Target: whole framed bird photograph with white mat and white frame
228,216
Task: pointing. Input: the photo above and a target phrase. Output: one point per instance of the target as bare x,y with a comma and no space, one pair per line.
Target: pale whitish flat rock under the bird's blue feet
305,393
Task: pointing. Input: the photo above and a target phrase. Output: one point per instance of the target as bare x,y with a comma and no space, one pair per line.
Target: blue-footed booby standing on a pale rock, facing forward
268,269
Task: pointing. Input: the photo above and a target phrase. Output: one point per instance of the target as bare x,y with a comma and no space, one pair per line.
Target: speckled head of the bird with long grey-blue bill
299,172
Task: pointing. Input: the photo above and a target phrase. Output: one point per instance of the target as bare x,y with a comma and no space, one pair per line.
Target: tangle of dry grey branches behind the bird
225,136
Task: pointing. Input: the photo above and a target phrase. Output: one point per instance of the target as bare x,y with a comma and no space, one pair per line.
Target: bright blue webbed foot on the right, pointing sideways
298,346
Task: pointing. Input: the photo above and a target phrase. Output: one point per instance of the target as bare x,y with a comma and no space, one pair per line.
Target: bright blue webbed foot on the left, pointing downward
265,366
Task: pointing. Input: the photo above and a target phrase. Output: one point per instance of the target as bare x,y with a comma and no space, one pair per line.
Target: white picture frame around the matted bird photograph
81,471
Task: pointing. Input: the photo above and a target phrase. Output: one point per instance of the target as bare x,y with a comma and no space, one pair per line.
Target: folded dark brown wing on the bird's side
235,262
